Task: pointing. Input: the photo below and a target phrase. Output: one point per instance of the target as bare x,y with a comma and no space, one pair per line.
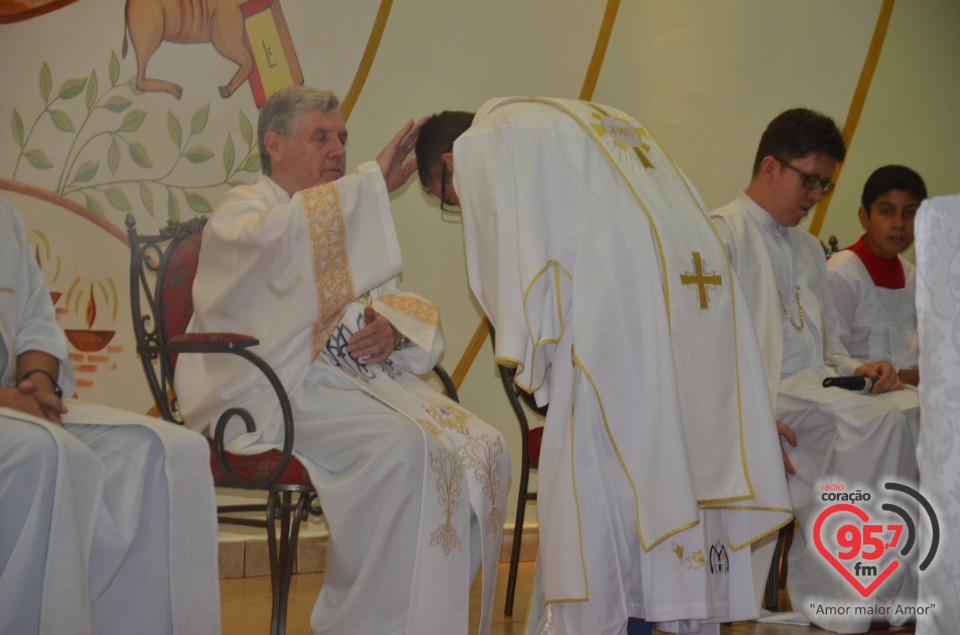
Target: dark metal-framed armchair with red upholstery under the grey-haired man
162,270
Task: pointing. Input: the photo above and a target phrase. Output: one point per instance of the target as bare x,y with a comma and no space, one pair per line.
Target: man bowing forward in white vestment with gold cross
593,257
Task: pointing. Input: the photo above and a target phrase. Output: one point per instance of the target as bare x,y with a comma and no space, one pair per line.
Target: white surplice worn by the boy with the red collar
876,323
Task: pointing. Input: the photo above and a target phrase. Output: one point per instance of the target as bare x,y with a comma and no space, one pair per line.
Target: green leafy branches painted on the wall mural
92,178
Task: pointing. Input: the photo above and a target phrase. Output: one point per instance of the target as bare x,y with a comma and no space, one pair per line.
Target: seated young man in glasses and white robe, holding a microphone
856,440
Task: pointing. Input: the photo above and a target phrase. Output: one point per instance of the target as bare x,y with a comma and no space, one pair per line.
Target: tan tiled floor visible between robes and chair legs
245,606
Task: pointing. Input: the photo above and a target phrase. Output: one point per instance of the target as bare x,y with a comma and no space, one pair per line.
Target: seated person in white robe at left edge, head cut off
107,518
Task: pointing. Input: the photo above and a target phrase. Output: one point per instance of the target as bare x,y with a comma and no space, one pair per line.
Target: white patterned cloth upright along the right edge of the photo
938,308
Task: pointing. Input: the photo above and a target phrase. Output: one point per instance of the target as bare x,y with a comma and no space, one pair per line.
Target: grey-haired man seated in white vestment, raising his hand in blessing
306,259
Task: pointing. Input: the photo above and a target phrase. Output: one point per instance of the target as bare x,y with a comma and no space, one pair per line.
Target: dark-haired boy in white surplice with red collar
872,286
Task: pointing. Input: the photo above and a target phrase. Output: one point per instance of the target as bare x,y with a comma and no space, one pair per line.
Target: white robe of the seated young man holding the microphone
858,440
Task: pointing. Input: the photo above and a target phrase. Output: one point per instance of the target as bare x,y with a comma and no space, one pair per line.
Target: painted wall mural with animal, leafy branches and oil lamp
157,124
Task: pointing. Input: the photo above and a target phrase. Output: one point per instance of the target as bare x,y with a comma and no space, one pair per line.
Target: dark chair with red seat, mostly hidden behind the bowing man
529,460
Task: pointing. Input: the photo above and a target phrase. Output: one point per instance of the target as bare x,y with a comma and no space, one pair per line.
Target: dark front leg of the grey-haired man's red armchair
283,553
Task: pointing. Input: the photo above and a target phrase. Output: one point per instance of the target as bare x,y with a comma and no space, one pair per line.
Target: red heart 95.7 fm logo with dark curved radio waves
861,545
